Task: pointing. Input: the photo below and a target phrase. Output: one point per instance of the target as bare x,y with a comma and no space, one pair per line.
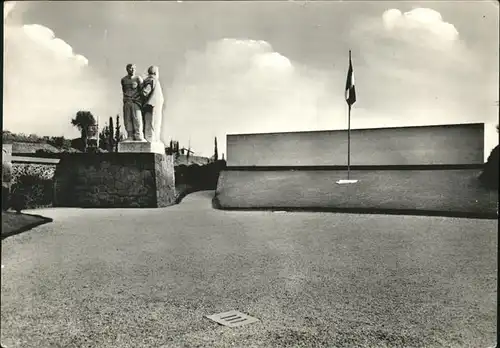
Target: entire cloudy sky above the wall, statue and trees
246,67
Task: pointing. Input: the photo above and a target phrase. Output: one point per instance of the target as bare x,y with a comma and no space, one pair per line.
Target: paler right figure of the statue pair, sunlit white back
152,105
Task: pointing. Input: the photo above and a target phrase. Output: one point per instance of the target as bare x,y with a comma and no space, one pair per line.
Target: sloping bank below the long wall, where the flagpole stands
433,192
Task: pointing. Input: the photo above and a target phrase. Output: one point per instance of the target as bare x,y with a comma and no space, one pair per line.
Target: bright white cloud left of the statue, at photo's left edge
45,81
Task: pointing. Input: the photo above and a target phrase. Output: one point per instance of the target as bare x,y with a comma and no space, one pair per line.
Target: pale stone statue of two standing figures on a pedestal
142,105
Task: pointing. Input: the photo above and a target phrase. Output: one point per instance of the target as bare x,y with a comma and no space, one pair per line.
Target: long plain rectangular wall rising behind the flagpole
447,144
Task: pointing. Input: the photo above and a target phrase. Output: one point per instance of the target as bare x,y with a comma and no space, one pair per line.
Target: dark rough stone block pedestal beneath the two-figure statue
115,180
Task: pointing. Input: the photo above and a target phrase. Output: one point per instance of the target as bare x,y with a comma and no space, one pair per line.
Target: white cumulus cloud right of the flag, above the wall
422,67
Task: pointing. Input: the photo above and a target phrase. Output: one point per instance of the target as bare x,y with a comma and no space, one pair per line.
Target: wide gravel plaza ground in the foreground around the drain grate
147,277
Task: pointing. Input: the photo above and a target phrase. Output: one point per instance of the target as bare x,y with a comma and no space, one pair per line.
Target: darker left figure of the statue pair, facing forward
132,113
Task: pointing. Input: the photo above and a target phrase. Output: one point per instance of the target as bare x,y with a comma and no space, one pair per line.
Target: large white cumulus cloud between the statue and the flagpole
246,86
